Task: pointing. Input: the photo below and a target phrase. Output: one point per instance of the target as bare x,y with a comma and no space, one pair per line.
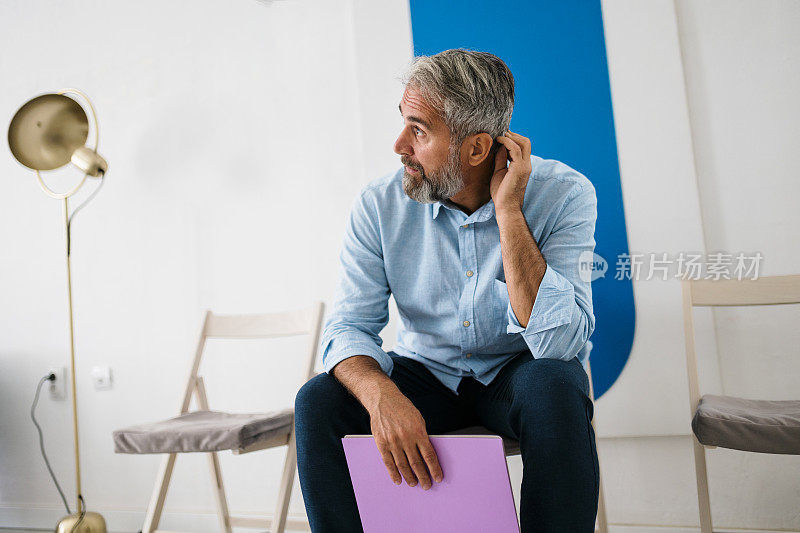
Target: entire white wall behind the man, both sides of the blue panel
235,129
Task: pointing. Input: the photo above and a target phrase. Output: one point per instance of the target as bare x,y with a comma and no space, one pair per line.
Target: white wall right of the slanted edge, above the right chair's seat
742,64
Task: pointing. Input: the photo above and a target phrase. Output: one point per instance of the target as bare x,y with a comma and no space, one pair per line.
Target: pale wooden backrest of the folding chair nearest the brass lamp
306,321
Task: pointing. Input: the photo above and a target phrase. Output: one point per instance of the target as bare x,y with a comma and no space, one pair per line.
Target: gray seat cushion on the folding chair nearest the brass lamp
204,431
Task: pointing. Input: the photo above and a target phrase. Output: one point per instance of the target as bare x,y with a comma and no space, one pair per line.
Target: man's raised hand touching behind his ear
508,183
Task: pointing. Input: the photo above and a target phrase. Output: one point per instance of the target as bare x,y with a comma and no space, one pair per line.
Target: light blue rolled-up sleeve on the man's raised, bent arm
562,319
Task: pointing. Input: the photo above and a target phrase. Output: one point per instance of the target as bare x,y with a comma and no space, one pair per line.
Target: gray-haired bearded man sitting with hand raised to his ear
479,243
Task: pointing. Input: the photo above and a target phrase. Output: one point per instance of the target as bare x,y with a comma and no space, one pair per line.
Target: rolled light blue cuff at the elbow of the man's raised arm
552,307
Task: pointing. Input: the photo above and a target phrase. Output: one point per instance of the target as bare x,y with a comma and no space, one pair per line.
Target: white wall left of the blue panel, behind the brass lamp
235,151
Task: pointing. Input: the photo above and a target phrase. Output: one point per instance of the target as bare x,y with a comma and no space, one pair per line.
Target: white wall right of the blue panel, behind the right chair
740,70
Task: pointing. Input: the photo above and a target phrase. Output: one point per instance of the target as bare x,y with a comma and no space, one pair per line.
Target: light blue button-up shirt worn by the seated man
445,271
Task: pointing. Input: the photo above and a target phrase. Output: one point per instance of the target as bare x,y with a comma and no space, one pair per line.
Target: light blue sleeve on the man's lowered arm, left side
360,309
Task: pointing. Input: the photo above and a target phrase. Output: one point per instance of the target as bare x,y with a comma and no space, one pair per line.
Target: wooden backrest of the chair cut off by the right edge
771,290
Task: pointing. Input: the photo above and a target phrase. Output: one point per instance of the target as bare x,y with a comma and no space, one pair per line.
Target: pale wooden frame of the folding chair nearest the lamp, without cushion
305,321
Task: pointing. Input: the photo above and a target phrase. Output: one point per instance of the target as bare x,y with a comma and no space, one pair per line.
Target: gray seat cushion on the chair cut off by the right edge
750,425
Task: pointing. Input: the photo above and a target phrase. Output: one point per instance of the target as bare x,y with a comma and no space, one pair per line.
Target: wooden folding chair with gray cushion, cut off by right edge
726,421
